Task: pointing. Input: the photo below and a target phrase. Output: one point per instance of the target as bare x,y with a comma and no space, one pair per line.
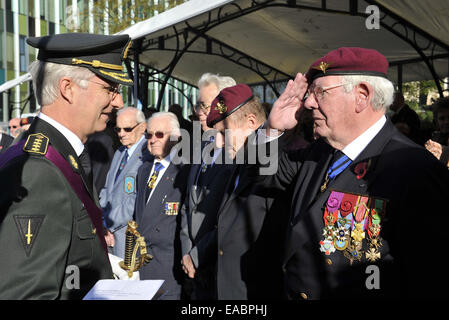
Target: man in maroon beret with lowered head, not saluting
245,232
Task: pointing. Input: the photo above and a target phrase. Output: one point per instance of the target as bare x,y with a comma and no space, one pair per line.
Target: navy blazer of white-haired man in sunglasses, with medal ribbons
159,222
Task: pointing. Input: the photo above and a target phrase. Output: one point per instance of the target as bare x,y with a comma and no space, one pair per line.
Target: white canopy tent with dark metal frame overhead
272,40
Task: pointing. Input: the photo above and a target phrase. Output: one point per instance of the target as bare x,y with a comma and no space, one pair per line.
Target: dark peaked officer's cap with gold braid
102,54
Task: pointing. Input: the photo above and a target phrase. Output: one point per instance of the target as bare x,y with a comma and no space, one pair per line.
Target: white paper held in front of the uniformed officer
109,289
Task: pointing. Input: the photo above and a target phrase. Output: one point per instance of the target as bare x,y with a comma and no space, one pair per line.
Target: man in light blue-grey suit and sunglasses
117,198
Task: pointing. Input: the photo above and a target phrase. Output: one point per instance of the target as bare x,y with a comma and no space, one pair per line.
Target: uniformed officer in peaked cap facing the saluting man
51,229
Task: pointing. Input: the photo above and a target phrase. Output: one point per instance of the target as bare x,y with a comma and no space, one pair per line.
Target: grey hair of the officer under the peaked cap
46,76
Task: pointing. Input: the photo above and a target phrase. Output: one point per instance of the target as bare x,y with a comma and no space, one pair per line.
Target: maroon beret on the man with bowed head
227,102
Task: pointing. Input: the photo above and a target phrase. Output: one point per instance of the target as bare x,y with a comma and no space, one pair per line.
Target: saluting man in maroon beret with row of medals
360,191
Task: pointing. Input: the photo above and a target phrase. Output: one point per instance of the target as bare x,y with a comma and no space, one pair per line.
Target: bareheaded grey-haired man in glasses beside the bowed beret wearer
205,190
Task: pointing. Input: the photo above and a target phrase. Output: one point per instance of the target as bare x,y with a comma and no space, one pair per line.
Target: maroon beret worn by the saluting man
349,61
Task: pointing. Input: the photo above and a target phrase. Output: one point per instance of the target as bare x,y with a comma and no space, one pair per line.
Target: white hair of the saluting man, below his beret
383,89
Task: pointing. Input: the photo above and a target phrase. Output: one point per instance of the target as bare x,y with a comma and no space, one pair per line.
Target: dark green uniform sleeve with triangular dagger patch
39,191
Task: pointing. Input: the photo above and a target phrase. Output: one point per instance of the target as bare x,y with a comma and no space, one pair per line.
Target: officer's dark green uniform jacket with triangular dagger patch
49,248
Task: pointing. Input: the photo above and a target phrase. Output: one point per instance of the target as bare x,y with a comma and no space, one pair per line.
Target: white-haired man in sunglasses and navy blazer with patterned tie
160,191
